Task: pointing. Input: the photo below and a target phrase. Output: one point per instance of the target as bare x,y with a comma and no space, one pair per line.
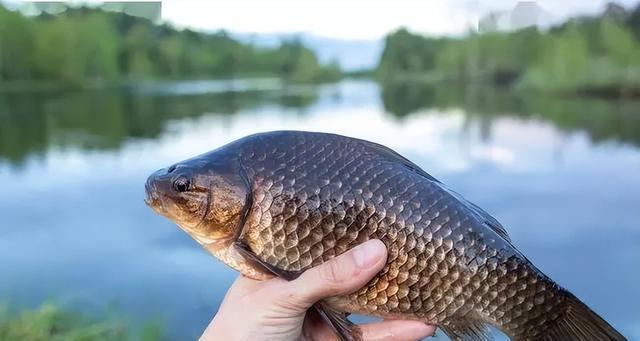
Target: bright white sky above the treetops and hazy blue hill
355,19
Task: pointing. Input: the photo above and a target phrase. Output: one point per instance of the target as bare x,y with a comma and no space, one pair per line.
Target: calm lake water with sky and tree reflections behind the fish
562,174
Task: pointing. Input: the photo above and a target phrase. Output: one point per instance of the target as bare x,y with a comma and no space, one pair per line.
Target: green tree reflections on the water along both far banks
32,123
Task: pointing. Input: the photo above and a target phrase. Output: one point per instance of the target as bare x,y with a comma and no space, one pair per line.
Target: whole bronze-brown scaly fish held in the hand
275,204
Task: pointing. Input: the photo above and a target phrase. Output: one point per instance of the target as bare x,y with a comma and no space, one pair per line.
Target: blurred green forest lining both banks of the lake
596,55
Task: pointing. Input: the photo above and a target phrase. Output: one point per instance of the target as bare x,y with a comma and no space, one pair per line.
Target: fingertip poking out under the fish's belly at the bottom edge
396,330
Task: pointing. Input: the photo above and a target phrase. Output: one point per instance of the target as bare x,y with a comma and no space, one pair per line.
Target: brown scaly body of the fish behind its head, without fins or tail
315,199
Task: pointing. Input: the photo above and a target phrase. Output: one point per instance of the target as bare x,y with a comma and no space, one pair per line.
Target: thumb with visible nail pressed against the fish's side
341,275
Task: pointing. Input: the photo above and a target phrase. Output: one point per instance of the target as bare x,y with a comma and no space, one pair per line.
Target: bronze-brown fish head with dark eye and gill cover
207,196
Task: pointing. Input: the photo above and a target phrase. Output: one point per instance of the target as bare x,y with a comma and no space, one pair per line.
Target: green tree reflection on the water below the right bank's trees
601,119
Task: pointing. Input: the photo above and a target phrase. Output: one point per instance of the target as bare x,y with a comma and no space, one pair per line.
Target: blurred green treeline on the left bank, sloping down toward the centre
88,44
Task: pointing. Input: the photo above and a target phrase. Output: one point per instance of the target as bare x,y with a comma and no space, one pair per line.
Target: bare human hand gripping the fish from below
277,310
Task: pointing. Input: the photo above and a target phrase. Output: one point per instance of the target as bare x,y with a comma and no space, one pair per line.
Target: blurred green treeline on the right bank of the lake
594,55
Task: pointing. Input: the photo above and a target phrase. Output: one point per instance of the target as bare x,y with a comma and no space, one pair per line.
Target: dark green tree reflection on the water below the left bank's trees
33,122
